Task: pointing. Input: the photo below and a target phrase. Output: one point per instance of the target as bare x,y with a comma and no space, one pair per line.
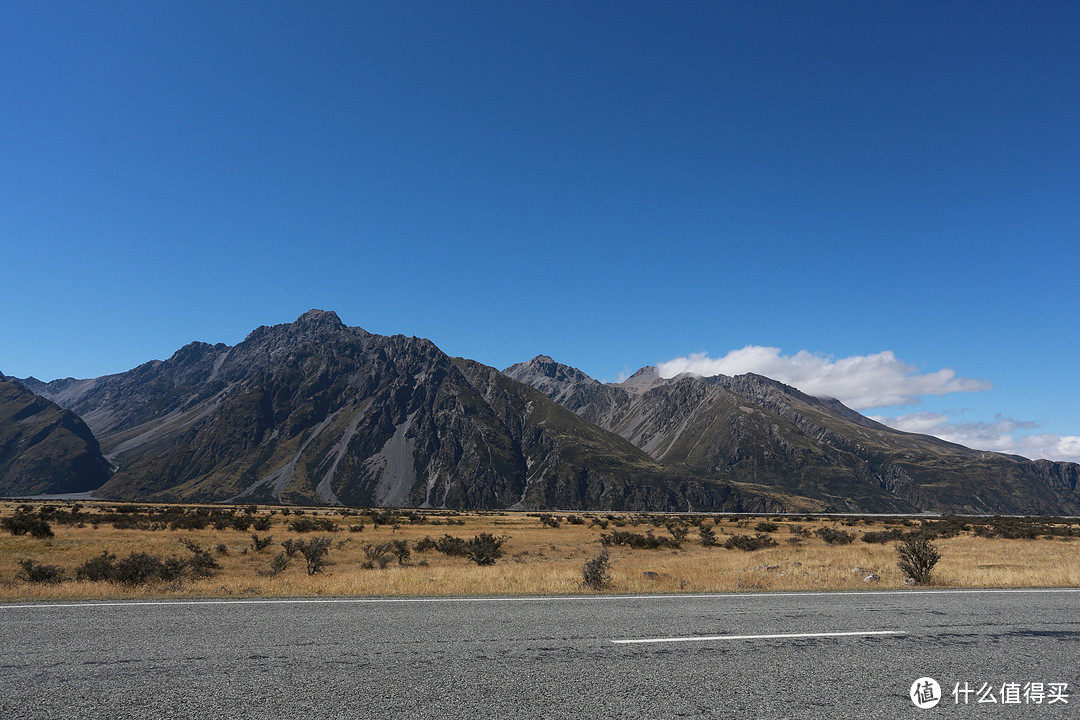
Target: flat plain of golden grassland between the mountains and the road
537,559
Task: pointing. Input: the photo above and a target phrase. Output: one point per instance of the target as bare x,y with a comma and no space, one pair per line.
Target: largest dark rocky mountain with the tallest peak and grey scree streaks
315,412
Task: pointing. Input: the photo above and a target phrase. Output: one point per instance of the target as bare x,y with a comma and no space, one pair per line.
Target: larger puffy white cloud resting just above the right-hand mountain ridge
860,382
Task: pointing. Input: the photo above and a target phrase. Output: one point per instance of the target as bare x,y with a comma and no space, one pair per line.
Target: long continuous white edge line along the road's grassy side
520,599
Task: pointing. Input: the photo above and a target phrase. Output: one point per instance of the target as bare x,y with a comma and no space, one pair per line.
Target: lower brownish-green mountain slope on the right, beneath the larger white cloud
766,437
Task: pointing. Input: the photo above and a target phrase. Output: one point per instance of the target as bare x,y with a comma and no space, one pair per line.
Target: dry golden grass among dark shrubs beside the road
537,561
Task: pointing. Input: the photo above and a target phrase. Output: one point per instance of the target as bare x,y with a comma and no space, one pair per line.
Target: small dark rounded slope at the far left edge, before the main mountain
44,449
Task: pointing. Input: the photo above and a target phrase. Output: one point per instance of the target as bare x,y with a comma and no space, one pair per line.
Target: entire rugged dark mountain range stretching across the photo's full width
316,412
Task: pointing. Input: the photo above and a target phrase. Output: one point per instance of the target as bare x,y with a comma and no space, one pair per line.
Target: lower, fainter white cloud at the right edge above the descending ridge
1002,436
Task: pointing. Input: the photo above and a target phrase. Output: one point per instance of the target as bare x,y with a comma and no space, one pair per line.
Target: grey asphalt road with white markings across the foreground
855,656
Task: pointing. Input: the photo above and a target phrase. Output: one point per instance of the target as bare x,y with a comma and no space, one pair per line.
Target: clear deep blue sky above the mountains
882,195
